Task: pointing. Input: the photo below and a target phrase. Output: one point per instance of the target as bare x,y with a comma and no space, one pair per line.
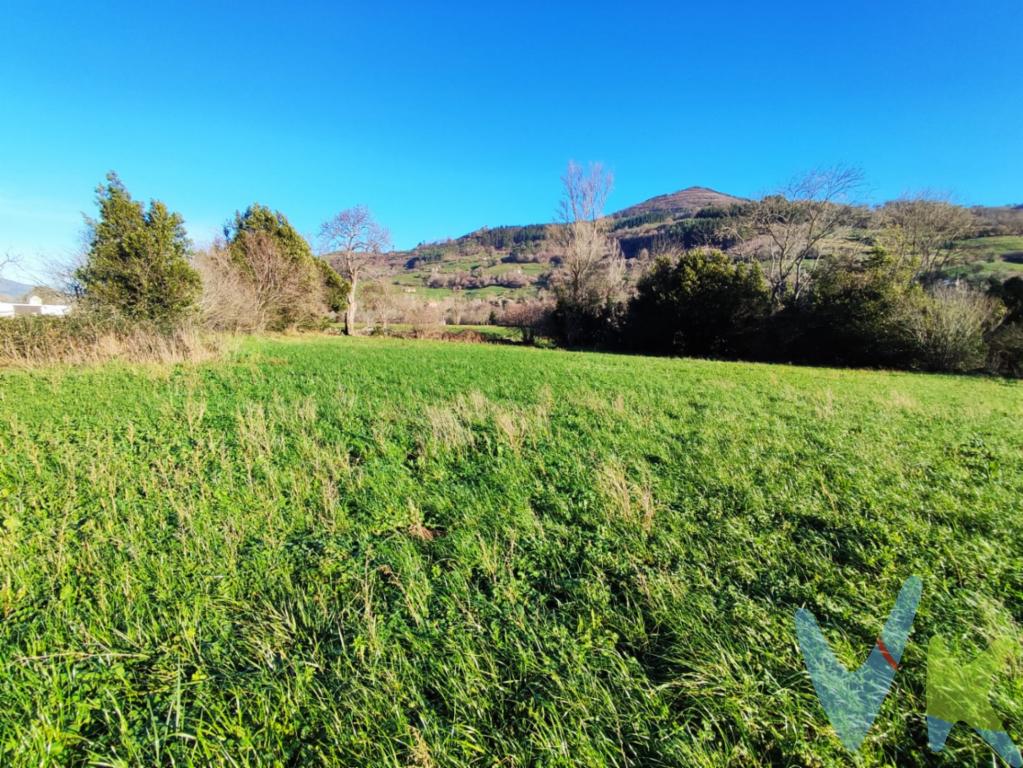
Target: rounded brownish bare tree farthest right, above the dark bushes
924,233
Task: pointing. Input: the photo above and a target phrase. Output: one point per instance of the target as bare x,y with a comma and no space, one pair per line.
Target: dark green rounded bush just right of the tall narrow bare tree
698,303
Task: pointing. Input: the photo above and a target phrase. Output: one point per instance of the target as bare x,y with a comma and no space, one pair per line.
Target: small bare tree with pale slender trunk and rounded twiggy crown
351,241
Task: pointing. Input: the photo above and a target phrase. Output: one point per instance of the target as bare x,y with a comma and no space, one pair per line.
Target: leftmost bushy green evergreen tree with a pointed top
138,264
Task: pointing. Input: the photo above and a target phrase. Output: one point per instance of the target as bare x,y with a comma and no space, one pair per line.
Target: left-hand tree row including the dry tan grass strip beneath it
145,292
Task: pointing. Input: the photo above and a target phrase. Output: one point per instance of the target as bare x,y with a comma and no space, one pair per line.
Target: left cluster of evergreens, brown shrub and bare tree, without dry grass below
261,276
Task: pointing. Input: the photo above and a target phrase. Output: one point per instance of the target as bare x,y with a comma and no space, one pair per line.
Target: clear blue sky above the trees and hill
444,118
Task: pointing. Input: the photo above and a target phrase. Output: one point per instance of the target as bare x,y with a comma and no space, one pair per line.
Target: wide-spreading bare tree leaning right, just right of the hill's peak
790,228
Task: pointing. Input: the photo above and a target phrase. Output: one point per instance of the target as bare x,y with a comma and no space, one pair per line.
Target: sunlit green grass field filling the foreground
382,553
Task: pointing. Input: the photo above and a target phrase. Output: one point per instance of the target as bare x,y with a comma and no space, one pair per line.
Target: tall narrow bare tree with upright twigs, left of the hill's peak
592,272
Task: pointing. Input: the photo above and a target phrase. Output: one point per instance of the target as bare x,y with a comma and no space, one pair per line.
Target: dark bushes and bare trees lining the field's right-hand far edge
794,288
